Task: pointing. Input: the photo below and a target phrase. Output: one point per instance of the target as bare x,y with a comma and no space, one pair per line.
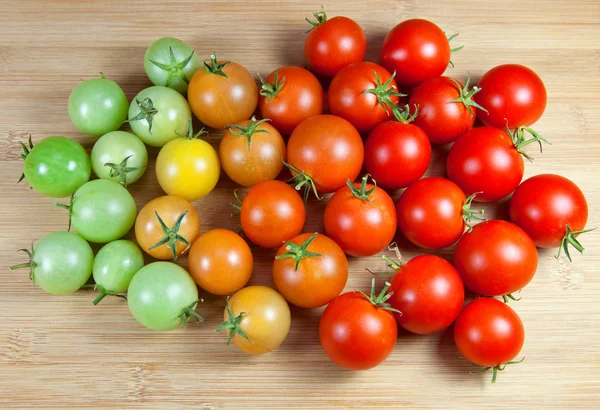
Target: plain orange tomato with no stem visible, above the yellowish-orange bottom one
220,261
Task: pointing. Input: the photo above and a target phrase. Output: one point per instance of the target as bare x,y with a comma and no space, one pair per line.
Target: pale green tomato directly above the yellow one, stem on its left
159,114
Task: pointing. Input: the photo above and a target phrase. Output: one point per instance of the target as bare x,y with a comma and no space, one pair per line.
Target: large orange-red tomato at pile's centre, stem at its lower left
323,152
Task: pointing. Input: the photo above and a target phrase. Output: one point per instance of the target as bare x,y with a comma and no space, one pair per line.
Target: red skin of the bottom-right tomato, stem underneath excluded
489,333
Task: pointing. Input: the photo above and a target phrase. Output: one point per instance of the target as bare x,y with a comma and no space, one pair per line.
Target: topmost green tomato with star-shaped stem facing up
172,63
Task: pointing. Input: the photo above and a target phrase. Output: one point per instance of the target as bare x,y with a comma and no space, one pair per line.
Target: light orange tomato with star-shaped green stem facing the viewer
166,227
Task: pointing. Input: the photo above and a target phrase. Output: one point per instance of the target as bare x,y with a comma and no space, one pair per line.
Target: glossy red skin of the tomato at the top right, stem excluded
417,50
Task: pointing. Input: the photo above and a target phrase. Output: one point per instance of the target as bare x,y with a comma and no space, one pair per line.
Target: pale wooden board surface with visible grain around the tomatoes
61,352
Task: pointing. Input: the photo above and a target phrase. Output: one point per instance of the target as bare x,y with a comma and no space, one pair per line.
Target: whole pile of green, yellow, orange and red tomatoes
347,127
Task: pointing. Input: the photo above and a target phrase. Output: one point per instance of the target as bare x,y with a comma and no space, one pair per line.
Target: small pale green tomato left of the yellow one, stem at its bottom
119,156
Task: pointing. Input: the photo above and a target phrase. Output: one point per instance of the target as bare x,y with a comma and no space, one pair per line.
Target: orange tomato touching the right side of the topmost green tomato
222,93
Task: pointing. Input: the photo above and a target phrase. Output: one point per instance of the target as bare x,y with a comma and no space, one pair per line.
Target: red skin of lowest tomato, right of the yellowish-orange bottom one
355,334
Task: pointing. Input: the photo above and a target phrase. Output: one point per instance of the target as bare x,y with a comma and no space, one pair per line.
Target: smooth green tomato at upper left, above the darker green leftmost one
98,106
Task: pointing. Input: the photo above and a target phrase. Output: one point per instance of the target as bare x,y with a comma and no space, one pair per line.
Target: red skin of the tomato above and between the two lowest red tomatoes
429,292
